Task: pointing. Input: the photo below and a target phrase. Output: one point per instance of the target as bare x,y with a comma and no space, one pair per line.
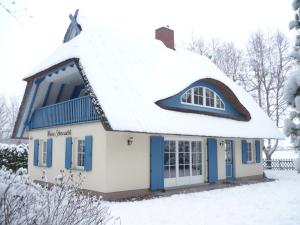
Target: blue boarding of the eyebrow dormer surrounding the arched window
175,101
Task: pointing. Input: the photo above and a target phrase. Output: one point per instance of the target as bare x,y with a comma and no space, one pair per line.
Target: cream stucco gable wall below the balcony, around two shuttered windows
95,179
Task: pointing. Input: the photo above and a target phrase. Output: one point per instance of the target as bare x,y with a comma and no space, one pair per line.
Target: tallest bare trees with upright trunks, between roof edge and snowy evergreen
268,64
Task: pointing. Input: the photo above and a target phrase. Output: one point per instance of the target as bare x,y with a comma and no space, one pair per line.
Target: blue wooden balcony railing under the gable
77,110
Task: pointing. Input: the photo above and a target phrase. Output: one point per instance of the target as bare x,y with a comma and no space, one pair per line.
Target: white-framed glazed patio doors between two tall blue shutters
183,162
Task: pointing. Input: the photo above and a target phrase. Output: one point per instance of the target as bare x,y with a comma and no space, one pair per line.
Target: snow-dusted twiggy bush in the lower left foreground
25,202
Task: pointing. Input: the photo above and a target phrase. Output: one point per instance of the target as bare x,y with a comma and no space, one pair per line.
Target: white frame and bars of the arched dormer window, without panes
204,98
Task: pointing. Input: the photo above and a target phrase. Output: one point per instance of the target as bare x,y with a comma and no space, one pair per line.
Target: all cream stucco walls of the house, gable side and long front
118,166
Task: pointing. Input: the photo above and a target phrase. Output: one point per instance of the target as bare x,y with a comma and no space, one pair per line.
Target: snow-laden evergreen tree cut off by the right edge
292,88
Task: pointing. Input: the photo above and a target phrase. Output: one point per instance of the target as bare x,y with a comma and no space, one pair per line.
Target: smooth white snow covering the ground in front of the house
274,203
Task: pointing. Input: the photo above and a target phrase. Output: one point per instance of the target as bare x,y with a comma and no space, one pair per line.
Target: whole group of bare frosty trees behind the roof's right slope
261,70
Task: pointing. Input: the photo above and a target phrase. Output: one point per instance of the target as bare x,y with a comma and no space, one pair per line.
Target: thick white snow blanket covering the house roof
129,74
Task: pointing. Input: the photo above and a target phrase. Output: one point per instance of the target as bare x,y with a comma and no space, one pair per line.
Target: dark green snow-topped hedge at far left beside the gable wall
13,156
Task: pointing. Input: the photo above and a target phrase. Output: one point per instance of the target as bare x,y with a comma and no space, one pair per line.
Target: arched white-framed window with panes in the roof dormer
202,96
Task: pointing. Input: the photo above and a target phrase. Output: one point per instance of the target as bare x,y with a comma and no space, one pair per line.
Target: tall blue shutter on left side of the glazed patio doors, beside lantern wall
156,163
